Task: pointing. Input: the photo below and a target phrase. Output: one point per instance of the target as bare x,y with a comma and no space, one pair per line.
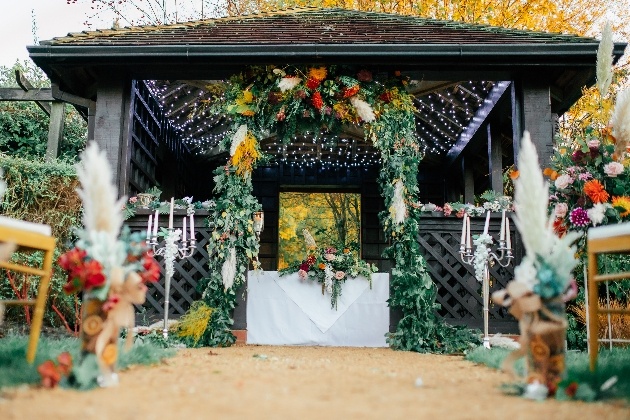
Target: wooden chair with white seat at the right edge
611,239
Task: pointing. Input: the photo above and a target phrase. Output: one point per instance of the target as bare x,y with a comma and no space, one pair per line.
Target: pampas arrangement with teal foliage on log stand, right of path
537,295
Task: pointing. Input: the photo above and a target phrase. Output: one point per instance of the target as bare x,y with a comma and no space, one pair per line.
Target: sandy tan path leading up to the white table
299,383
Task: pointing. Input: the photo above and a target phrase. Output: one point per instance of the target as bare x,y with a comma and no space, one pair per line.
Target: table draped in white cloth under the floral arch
287,310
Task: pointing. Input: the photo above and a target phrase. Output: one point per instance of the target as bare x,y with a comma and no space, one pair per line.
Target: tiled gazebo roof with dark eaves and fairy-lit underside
452,61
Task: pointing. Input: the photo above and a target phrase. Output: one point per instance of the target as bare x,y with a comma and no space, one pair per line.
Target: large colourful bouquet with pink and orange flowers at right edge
590,176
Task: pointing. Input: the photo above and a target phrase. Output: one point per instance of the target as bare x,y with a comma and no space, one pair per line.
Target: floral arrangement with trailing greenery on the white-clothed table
331,267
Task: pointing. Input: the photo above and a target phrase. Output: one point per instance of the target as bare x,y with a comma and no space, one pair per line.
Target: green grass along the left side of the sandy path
15,370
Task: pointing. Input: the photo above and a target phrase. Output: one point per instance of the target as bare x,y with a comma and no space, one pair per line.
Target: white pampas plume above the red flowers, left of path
102,212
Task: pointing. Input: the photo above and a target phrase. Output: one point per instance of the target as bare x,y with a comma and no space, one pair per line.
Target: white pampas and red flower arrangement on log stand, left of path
109,268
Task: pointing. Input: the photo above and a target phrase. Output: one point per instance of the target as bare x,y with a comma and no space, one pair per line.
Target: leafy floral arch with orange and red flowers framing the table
281,102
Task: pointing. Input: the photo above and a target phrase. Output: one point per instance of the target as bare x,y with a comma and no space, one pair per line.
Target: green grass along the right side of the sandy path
610,363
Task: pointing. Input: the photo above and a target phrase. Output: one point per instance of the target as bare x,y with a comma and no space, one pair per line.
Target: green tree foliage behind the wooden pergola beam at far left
24,126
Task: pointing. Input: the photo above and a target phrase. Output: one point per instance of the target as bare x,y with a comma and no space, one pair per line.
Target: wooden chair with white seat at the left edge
31,236
